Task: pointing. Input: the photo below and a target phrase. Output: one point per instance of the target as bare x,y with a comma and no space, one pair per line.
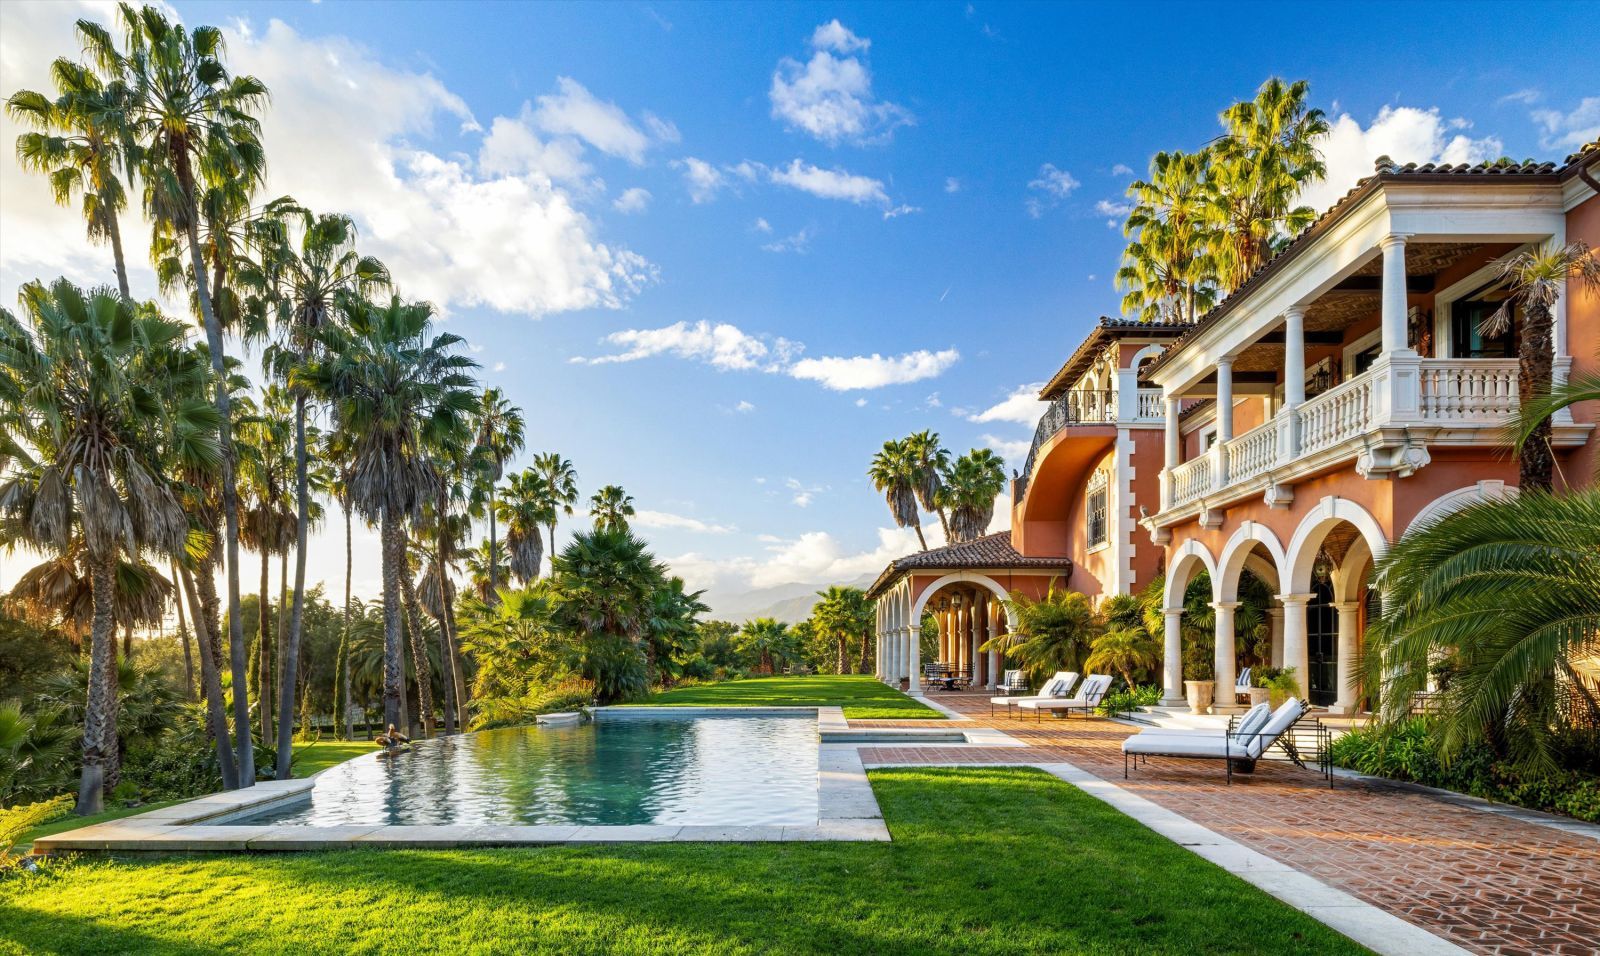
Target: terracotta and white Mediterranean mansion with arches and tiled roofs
1342,396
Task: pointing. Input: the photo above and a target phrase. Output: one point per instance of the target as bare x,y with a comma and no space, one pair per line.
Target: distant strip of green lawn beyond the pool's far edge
862,696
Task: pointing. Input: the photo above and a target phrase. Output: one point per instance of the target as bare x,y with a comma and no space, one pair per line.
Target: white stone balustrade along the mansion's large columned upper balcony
1454,392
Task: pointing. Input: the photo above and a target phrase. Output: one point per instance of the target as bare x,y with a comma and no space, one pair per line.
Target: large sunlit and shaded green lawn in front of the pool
985,861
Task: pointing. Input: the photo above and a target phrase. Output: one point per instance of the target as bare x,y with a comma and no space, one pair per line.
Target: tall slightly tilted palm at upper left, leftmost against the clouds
79,141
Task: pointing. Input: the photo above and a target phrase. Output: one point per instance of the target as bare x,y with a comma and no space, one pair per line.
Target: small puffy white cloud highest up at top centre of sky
831,95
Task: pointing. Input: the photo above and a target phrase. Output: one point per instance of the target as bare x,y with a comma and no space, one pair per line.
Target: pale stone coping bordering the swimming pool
847,811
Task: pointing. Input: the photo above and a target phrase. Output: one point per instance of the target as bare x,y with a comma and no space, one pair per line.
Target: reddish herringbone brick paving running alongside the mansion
1484,882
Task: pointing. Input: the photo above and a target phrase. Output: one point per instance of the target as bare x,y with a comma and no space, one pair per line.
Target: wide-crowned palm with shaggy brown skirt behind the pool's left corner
393,384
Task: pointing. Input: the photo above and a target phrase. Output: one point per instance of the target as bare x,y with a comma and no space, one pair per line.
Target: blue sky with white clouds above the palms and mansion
900,213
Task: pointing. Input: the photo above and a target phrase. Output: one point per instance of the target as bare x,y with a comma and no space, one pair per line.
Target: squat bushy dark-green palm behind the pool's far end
607,581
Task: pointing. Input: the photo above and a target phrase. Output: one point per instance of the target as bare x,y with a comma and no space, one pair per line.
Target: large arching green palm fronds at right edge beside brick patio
1508,592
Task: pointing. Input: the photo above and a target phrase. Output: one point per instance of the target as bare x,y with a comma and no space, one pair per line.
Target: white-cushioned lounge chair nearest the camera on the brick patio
1246,741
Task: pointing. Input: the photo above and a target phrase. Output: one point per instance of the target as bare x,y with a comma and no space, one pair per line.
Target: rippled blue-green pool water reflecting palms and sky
732,771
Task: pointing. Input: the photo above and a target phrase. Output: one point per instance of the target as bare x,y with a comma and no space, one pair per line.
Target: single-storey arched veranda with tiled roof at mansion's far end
943,605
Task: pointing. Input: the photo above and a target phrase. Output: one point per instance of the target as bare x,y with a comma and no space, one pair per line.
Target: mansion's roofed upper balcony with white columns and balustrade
1362,345
